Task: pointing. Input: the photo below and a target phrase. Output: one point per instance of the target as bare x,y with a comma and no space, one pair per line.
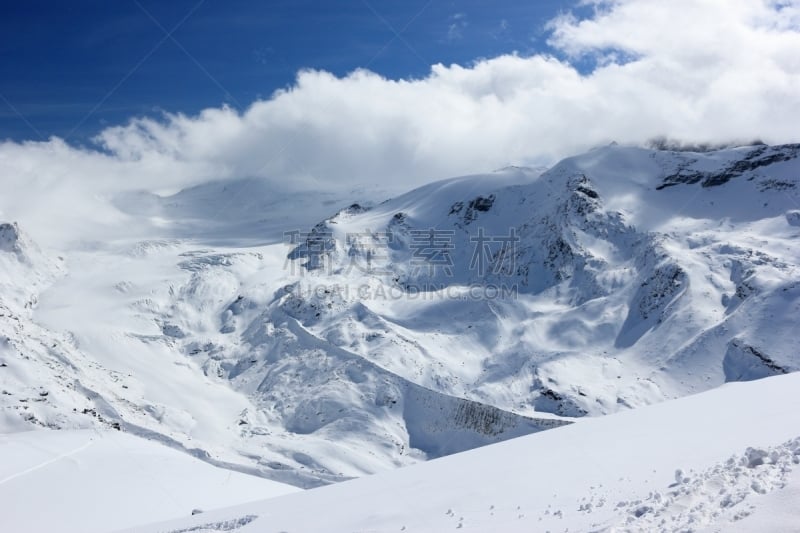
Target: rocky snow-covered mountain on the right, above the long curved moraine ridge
618,278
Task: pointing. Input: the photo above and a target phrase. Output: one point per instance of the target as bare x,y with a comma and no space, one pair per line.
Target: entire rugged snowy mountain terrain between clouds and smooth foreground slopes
456,315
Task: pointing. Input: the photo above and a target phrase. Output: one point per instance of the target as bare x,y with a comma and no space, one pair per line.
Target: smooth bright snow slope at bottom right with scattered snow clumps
706,461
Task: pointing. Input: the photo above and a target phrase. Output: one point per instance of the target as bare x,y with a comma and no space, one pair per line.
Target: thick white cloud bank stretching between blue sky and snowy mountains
695,70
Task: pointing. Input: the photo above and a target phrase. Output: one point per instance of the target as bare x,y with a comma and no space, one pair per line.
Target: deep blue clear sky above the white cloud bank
72,68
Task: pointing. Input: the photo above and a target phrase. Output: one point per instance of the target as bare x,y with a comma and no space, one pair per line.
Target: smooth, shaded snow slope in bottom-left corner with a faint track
92,481
